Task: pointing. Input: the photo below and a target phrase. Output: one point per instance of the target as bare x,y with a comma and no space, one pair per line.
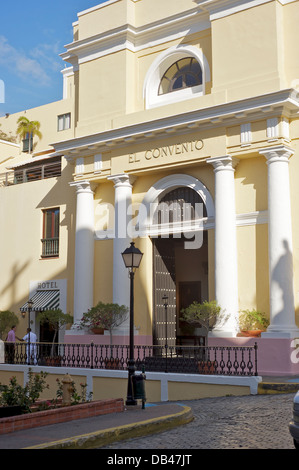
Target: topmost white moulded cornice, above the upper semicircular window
135,39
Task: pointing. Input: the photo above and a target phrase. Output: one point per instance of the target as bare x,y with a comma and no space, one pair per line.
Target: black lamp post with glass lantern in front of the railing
132,258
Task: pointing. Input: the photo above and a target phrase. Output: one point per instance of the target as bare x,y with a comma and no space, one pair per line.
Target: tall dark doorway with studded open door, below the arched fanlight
182,275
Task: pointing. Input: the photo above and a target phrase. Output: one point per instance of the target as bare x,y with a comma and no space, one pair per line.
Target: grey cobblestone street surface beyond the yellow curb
251,422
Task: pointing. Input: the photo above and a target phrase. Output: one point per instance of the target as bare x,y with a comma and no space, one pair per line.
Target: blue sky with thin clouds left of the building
32,35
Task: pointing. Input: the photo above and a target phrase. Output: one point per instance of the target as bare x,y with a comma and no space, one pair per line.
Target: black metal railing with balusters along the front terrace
216,360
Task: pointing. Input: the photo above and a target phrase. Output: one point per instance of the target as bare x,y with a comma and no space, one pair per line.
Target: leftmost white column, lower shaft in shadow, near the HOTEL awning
84,249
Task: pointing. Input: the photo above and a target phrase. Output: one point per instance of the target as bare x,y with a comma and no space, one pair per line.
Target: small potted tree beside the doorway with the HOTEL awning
57,320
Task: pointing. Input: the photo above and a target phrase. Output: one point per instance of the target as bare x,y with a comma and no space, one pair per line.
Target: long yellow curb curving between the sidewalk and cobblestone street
105,437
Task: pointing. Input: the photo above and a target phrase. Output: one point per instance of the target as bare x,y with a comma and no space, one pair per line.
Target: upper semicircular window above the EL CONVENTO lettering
185,73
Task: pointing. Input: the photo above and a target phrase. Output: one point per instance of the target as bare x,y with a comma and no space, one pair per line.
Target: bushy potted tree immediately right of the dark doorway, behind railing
205,315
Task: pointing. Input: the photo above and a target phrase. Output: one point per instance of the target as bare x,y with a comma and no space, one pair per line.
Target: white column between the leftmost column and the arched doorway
123,200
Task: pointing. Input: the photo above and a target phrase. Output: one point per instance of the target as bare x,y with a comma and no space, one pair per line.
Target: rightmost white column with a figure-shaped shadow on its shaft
282,305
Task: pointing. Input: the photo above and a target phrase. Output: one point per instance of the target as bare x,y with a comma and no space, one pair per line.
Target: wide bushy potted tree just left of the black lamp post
107,317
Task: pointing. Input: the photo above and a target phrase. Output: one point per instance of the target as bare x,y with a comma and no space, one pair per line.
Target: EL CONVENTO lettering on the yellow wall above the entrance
167,151
